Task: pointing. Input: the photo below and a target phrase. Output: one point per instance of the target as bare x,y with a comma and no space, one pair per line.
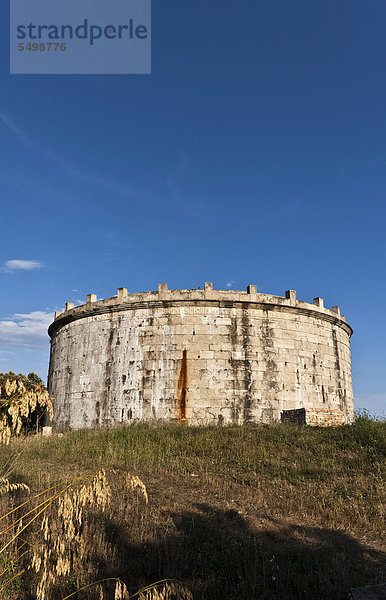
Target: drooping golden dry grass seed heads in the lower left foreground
63,543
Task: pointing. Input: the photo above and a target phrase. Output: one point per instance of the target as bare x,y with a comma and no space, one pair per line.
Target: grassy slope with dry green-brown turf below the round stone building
270,512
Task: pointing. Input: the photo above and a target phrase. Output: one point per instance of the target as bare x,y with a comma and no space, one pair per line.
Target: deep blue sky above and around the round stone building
254,153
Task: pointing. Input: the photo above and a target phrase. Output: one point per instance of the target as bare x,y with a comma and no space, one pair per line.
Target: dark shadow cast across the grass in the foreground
218,554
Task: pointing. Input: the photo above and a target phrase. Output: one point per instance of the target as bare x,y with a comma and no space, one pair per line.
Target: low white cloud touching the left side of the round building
28,330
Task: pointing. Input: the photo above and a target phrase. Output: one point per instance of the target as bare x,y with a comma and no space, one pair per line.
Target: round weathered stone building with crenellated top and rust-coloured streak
199,356
